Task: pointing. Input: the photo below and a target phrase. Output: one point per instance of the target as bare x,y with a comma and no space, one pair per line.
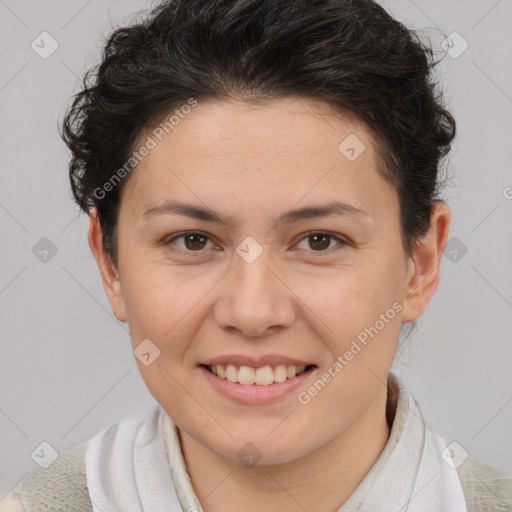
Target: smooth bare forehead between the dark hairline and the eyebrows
270,152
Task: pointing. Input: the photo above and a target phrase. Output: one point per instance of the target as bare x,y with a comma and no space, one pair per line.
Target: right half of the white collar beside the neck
410,474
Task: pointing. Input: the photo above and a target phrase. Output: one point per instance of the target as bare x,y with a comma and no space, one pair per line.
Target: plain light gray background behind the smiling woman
66,369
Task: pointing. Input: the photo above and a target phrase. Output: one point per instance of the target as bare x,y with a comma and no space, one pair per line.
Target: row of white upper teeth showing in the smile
262,376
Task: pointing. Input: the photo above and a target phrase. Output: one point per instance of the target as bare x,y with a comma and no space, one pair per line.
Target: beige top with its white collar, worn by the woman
69,482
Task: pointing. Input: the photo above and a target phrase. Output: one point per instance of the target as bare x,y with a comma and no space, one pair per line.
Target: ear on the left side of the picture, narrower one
109,274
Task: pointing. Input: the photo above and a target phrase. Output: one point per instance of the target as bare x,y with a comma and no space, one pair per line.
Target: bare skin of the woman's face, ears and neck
253,163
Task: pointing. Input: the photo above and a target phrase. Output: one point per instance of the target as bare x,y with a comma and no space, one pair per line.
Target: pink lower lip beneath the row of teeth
253,393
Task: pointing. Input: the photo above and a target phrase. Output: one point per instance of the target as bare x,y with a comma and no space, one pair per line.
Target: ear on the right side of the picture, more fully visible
424,263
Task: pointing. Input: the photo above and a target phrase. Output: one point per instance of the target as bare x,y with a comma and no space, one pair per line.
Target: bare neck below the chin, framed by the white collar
321,481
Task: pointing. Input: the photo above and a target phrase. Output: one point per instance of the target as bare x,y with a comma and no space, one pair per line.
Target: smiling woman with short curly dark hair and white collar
262,184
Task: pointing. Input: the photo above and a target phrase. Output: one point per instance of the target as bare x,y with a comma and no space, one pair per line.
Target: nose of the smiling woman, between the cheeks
254,299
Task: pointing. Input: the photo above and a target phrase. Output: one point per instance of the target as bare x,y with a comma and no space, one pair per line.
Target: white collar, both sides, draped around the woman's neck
137,465
